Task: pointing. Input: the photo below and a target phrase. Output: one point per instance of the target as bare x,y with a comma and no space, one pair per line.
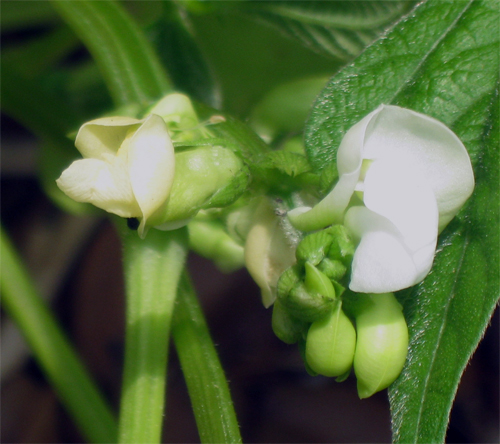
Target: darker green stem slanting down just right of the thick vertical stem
208,388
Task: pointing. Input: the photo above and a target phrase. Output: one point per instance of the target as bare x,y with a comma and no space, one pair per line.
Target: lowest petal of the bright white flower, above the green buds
381,262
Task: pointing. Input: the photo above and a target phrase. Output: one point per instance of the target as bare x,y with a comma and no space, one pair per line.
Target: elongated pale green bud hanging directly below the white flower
382,342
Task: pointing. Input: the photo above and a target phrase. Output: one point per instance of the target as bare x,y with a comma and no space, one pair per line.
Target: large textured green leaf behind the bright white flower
441,60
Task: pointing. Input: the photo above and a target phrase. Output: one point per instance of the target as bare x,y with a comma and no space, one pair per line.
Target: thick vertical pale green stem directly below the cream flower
152,271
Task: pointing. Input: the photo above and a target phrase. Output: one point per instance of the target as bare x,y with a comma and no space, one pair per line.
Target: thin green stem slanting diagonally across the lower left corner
52,349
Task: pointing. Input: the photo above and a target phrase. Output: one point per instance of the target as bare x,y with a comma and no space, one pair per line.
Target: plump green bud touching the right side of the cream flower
205,177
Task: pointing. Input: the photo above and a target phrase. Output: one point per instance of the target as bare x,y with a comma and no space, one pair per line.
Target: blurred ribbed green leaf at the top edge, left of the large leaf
341,29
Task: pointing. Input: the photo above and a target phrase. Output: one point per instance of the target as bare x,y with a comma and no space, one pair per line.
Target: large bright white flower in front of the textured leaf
402,177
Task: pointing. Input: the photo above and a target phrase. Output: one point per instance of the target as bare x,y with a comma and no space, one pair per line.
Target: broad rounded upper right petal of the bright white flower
397,133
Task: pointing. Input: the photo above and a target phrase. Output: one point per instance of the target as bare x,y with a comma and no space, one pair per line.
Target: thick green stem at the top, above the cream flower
129,65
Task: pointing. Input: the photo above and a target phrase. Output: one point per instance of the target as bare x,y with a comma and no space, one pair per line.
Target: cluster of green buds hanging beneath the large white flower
338,330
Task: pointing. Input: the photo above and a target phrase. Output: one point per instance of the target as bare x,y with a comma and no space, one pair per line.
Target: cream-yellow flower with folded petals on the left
127,167
